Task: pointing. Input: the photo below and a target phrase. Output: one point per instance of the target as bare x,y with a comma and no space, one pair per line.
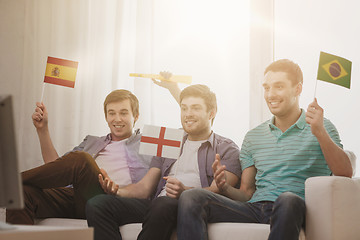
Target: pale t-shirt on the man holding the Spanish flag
113,159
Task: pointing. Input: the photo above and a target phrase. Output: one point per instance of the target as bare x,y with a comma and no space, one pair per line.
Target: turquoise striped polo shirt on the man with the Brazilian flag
284,160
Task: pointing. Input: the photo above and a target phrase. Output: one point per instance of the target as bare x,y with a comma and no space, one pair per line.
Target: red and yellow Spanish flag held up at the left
60,72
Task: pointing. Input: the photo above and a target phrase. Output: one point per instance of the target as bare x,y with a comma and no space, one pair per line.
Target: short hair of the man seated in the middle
204,92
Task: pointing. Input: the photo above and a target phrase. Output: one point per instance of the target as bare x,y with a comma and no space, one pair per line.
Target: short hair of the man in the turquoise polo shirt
285,65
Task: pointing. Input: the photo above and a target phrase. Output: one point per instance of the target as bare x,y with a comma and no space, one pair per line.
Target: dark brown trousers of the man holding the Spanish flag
44,192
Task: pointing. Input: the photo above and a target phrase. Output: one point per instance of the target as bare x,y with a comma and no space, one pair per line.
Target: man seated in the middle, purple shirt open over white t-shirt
168,178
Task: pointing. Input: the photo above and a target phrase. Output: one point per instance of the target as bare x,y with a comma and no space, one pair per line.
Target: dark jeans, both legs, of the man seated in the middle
106,213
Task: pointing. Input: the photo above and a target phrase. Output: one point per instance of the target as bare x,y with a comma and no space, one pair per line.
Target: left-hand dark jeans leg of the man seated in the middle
106,213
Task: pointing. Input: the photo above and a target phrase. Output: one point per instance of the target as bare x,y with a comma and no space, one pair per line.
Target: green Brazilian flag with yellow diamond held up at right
334,69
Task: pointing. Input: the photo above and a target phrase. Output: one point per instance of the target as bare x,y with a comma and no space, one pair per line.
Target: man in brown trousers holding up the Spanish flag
46,188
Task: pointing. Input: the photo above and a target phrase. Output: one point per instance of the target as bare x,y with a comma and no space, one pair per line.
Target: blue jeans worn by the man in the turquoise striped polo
197,207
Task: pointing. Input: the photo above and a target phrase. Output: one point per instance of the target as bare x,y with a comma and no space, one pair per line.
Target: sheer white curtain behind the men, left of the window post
208,40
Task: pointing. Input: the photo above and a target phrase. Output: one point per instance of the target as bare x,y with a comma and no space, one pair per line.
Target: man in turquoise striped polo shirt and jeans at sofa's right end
276,158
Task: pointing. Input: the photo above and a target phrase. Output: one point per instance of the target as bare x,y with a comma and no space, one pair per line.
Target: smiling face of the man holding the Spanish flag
120,119
